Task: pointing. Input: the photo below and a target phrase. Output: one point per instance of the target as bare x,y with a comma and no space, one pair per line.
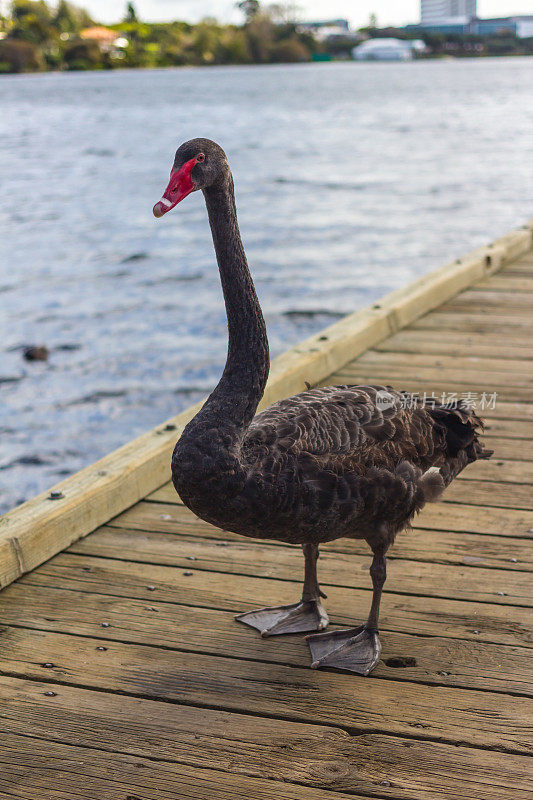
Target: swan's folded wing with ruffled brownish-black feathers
347,428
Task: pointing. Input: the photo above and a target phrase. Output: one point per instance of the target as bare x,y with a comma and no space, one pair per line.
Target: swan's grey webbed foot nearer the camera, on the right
354,650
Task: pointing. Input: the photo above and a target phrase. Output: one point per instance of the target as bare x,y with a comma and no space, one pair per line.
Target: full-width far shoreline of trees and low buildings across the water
37,36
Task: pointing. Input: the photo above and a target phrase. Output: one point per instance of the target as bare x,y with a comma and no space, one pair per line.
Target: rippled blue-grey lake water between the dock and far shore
352,179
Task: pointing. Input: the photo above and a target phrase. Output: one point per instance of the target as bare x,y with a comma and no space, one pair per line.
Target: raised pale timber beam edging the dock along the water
39,528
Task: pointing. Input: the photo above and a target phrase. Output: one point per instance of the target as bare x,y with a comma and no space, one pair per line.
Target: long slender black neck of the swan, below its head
241,387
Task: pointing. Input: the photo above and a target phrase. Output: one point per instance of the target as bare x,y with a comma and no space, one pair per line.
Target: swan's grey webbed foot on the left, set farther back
307,615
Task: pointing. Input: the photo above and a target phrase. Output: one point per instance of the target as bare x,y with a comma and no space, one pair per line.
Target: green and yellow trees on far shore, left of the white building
35,36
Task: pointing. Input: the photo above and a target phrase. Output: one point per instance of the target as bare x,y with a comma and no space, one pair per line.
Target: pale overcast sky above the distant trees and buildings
395,12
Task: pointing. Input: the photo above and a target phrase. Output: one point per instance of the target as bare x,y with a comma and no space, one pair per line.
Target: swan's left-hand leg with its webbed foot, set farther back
307,615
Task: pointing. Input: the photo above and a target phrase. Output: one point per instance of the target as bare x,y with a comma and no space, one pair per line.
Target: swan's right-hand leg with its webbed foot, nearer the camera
354,649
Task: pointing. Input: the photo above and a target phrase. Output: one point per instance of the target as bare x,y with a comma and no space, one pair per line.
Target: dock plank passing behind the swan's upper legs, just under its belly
497,552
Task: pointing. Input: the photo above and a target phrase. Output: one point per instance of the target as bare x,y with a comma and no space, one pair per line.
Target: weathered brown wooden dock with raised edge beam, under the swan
125,677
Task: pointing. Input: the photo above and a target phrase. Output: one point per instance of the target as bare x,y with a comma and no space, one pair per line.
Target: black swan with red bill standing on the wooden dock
341,461
